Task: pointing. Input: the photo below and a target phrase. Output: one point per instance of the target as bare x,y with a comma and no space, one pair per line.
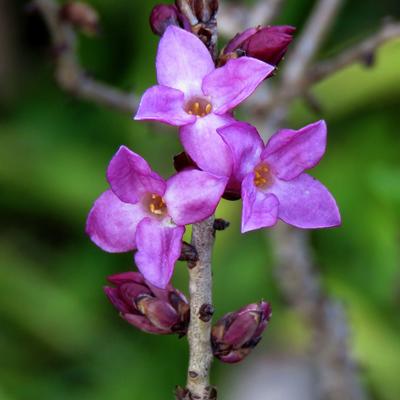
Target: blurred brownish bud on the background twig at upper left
82,16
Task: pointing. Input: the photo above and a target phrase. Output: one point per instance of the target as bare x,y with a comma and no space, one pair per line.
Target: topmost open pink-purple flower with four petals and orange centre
197,97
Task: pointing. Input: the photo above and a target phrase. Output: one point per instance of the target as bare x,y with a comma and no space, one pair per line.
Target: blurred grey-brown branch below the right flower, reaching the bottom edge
337,376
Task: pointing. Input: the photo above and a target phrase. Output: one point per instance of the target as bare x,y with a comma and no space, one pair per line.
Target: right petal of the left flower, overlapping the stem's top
192,196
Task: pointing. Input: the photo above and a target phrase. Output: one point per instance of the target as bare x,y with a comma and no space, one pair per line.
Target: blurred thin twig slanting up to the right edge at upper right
357,53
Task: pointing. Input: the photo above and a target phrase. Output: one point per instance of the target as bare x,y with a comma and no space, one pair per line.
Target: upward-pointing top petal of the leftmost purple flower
130,176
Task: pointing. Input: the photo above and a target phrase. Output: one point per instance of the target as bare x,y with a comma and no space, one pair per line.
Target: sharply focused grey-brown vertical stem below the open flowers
199,334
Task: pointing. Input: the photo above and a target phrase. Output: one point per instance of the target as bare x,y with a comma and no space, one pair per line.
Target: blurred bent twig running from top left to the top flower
69,73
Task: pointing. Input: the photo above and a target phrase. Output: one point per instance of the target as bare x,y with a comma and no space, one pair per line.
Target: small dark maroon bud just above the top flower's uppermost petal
164,15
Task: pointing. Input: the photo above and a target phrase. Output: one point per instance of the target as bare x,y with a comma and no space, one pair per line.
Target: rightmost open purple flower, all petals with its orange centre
272,180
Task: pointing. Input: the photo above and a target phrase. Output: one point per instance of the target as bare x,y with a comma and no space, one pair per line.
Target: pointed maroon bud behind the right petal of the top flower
266,44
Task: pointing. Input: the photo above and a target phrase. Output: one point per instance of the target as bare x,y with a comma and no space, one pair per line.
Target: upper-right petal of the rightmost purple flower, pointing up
291,152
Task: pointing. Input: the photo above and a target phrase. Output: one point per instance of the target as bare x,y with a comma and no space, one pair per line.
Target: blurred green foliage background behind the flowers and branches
59,336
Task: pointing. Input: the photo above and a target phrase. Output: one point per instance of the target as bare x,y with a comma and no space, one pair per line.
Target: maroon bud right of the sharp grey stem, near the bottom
237,333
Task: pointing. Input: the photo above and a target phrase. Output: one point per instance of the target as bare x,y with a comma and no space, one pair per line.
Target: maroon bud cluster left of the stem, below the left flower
148,308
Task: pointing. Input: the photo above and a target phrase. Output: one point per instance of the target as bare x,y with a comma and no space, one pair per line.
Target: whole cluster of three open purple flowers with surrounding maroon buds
145,213
